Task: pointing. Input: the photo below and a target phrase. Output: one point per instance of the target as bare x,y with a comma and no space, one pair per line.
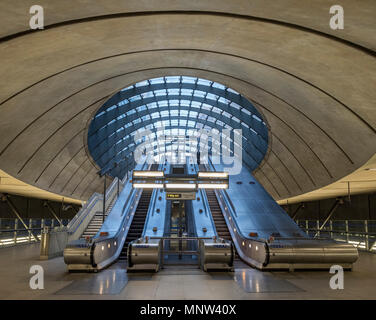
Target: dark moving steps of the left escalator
137,225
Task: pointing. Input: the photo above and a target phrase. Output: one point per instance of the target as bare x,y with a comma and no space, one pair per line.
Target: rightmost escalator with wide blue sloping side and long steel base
265,237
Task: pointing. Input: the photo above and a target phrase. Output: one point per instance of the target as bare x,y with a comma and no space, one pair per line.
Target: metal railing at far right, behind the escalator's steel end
360,233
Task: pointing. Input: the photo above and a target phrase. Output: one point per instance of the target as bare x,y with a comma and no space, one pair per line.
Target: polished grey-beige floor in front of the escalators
174,282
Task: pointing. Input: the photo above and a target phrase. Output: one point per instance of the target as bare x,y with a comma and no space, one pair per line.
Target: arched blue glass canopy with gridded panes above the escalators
177,106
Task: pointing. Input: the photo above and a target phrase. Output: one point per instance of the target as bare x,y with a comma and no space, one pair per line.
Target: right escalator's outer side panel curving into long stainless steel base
288,253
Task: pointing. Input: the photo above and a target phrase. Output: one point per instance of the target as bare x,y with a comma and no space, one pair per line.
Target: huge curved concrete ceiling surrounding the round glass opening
315,90
